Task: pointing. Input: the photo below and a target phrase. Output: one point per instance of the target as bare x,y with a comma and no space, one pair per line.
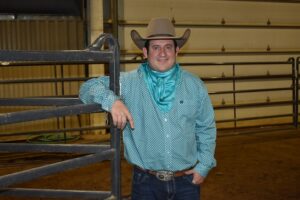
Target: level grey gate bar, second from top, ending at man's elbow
39,101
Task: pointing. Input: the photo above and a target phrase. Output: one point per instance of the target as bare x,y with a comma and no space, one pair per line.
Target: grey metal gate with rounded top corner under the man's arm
95,53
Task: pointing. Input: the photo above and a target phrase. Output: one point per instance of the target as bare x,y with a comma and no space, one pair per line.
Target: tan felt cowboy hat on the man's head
159,29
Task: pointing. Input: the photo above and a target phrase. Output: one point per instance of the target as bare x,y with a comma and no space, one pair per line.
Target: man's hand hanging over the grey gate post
121,115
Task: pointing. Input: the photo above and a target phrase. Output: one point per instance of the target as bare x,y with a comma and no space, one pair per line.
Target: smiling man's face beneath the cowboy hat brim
162,54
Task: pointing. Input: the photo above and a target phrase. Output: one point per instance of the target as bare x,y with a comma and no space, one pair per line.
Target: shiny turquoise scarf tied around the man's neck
162,85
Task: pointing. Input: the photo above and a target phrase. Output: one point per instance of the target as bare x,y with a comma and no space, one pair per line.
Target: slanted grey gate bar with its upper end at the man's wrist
23,116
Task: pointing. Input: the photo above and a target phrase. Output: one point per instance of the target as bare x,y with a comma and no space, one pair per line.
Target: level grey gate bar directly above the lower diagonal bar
58,148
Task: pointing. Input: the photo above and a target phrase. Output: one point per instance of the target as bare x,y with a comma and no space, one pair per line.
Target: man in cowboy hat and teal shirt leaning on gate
166,116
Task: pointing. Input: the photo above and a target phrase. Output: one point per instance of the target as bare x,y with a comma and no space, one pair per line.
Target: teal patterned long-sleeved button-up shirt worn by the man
173,140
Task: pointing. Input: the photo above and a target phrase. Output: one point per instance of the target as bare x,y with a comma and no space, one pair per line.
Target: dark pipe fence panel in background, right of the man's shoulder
293,77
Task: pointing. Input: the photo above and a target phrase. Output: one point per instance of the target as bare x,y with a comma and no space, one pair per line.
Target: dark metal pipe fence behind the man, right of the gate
235,79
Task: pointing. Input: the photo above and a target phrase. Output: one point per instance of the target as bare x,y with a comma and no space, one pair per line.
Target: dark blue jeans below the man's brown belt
146,186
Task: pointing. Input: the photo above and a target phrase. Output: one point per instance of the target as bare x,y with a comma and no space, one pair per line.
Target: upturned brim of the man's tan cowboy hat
140,41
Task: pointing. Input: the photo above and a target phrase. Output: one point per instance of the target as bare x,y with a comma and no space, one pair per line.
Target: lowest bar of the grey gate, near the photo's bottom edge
54,193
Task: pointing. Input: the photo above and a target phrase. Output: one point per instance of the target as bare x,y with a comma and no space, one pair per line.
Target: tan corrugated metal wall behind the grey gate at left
40,34
